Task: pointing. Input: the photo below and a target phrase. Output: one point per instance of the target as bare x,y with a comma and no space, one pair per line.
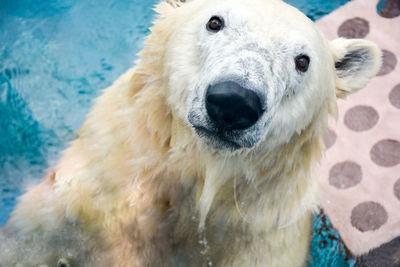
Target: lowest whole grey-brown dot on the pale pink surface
368,216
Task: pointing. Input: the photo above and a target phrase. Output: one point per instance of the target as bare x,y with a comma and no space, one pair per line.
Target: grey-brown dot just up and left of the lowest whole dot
345,174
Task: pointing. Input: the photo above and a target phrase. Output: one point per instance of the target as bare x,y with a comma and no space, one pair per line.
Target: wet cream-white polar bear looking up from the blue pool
202,154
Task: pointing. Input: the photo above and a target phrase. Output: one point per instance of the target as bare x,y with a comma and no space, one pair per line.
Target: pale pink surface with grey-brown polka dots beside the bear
360,173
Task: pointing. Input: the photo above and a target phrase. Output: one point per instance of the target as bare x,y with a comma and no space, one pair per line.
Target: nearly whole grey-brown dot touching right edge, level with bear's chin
386,153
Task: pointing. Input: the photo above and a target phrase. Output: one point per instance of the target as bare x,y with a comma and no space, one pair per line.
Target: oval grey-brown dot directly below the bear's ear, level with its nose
361,118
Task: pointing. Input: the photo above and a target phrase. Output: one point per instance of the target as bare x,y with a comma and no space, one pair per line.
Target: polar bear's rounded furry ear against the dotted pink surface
356,62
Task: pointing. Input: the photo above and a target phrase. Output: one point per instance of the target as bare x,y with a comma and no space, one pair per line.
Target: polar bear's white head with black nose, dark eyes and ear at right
246,73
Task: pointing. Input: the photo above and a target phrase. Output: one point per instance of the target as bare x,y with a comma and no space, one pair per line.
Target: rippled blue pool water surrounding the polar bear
55,57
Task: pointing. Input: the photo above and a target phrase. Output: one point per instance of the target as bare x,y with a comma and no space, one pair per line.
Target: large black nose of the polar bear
232,107
